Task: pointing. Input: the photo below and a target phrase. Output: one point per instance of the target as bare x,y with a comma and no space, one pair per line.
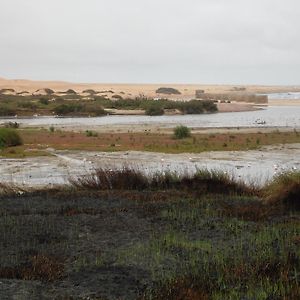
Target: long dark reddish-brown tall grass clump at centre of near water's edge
127,178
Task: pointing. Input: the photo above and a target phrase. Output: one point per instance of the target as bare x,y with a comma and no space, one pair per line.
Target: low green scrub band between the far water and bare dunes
71,104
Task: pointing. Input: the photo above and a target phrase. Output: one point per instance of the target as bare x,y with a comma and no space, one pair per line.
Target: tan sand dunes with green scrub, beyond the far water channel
30,98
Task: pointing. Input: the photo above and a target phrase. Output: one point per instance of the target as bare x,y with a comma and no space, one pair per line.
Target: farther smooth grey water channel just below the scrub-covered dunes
274,116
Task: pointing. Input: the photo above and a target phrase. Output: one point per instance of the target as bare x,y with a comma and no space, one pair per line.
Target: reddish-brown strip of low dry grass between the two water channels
37,140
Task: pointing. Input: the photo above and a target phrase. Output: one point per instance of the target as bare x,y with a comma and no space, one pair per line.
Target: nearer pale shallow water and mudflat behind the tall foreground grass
56,170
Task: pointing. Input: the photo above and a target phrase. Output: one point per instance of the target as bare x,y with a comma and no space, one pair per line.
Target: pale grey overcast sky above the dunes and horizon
140,41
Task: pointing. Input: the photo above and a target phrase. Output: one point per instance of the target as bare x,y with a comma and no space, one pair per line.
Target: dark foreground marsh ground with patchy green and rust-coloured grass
128,236
